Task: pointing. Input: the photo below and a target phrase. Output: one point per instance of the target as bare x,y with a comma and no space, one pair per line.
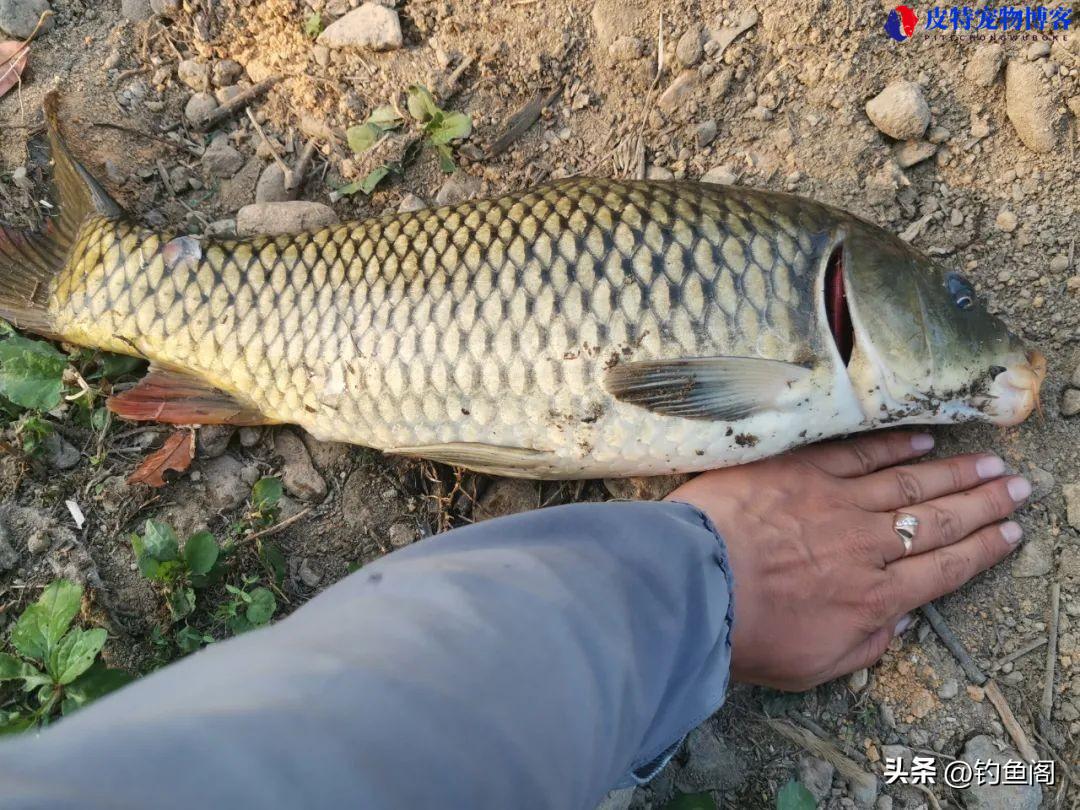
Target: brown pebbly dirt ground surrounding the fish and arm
779,106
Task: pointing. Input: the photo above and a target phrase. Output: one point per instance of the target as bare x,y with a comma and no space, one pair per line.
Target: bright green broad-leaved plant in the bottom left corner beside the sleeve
58,665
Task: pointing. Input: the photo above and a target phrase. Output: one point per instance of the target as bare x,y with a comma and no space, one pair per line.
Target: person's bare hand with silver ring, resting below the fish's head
822,584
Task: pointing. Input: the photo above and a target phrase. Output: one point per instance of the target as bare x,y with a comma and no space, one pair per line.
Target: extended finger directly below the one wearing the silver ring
925,577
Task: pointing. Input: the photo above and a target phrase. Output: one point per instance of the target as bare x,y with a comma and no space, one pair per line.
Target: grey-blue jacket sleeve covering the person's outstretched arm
534,661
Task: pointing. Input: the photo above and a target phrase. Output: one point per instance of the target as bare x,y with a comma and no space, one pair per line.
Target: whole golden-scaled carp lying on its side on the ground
586,328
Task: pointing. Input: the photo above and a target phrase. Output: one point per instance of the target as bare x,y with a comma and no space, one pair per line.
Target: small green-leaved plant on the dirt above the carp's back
438,129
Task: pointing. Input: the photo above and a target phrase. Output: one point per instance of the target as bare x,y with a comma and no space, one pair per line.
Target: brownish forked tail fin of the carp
30,260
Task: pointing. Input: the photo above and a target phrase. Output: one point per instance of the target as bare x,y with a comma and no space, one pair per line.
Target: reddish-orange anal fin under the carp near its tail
182,399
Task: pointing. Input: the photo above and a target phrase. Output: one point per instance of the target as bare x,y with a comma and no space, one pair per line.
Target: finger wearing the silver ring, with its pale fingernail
949,520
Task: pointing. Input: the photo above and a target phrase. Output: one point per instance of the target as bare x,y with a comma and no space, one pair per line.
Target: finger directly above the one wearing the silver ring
910,484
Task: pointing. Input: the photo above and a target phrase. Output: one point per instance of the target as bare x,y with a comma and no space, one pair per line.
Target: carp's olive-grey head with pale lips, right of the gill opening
925,349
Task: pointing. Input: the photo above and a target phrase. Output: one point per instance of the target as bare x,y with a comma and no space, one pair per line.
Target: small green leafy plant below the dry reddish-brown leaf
160,559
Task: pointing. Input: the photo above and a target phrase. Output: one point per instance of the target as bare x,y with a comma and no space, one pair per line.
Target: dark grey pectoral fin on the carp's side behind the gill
718,389
